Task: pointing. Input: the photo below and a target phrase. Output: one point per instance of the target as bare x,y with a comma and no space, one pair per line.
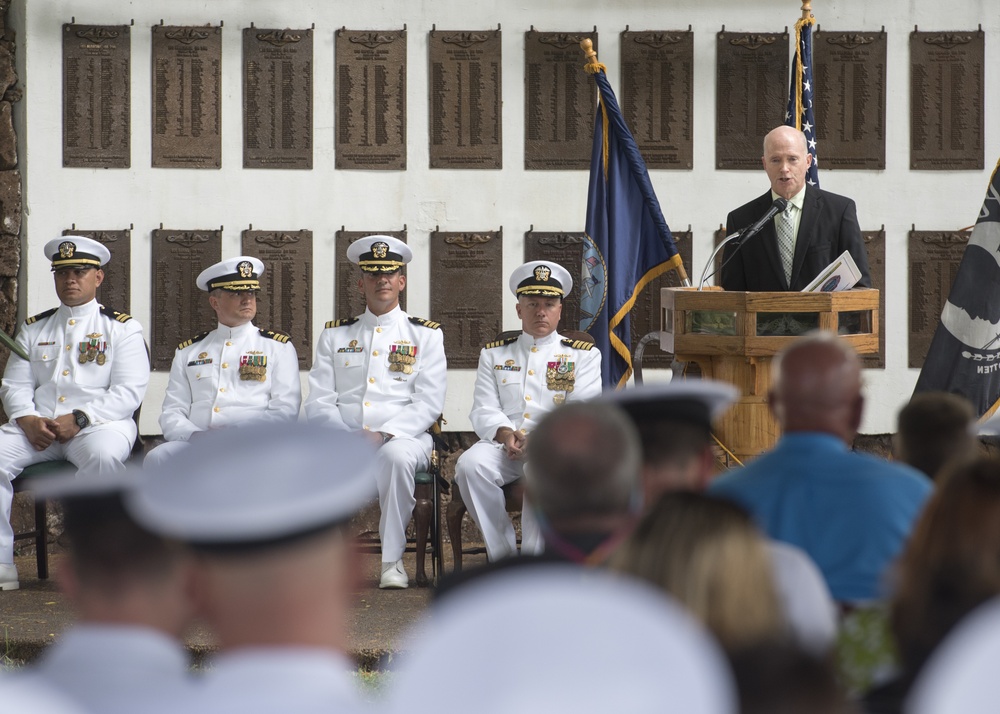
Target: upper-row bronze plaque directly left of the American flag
751,95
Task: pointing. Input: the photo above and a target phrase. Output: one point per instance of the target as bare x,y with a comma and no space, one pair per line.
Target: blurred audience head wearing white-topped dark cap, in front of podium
674,423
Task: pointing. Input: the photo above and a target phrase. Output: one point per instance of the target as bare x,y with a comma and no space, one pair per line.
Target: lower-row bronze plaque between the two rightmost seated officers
467,292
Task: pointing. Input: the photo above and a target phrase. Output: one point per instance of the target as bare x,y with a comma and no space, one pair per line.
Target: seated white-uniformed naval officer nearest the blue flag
518,382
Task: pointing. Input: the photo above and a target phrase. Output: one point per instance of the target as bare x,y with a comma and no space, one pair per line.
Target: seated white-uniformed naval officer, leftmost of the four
74,397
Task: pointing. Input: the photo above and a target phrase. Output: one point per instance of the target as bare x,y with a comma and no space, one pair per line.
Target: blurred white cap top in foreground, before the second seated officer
256,485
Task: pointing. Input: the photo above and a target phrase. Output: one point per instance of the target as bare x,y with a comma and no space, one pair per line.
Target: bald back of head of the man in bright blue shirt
816,386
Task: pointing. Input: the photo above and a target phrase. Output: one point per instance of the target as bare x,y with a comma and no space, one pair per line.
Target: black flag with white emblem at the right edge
964,356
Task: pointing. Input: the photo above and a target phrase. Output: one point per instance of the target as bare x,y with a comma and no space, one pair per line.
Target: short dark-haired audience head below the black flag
933,429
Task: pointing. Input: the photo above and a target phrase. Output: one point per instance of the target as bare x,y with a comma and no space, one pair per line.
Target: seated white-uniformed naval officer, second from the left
233,374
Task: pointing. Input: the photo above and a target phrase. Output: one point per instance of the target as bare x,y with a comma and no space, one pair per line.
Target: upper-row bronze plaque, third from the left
277,98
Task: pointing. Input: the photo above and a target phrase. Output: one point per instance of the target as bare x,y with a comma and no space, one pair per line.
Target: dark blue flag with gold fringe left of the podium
628,244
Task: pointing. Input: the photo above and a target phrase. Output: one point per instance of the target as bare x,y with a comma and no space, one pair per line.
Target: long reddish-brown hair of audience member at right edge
952,561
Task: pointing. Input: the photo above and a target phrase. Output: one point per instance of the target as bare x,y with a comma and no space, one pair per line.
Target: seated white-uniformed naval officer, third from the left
383,373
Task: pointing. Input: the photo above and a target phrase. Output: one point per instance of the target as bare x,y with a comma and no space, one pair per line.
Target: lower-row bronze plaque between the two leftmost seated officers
180,309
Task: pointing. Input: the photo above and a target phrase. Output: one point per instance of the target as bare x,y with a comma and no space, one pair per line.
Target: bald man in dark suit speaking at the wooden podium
790,251
